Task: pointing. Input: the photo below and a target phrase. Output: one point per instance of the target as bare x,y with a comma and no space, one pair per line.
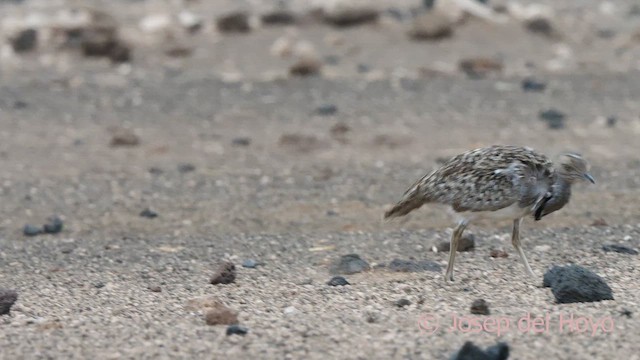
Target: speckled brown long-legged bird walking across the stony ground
499,182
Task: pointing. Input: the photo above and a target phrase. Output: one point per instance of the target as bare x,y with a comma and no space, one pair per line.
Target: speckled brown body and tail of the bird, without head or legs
485,179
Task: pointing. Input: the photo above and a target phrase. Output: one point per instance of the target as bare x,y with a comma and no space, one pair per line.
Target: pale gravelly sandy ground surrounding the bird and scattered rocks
274,181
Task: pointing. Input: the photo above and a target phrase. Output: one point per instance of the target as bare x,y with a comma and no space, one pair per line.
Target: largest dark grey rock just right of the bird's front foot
573,283
